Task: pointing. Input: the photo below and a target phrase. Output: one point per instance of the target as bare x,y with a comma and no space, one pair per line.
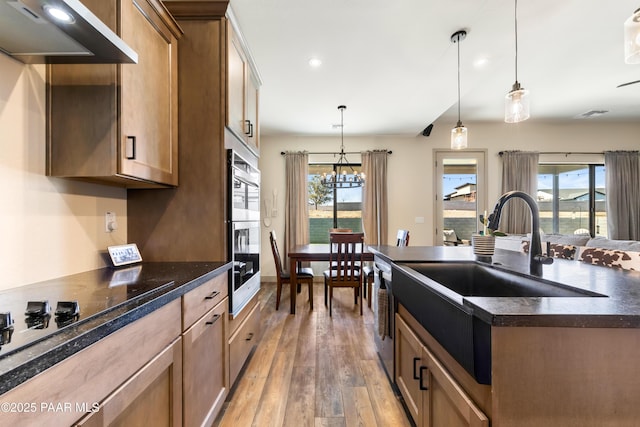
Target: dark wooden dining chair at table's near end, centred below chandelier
346,253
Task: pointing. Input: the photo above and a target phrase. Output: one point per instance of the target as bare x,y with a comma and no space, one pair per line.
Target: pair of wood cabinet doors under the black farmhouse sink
432,396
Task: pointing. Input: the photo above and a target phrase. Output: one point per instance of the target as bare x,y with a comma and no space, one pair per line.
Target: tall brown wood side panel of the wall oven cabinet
190,223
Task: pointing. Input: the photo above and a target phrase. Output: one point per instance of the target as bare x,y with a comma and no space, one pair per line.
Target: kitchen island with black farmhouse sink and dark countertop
553,361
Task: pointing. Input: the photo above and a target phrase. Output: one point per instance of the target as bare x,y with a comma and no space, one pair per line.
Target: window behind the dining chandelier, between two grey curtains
337,208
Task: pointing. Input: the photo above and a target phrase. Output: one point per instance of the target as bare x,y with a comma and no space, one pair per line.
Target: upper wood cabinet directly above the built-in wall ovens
242,89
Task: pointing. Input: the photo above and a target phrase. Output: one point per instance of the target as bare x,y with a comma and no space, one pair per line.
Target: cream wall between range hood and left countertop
49,227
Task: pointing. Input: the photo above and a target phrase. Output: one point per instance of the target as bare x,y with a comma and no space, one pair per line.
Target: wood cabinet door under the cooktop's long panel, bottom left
153,396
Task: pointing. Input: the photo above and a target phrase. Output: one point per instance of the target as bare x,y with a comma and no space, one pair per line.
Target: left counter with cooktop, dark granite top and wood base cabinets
143,334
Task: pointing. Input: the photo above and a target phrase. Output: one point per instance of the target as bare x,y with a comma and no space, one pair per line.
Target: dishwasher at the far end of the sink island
384,309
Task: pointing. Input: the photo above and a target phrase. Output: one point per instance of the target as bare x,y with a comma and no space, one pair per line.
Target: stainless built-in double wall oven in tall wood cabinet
244,230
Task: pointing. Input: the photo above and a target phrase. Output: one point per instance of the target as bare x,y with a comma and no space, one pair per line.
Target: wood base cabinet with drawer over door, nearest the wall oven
206,373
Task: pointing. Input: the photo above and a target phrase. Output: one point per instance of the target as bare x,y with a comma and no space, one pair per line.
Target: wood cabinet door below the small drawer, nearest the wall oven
205,381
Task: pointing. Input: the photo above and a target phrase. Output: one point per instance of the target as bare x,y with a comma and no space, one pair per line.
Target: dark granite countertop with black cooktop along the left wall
109,299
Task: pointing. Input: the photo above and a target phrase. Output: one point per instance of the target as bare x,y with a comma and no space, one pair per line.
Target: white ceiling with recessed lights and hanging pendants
392,63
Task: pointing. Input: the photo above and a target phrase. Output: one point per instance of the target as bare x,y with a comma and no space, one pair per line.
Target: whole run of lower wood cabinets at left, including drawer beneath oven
156,371
